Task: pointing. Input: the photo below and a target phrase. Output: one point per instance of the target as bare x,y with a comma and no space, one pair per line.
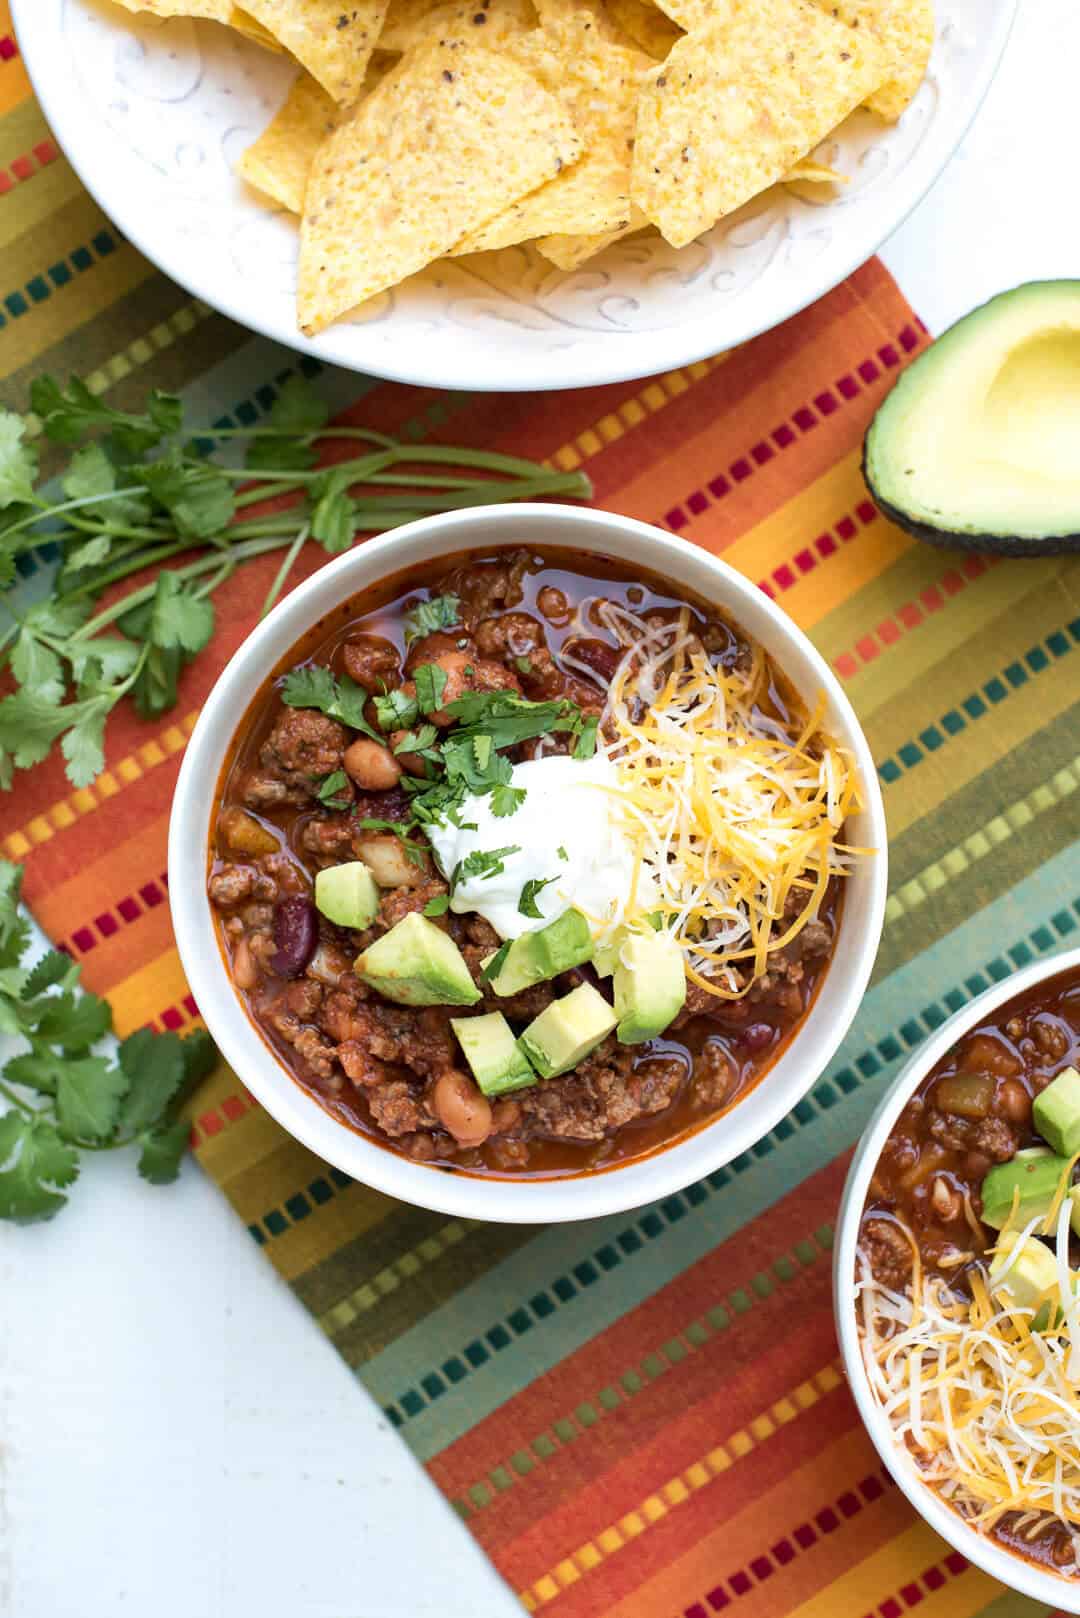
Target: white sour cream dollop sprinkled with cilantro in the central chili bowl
564,829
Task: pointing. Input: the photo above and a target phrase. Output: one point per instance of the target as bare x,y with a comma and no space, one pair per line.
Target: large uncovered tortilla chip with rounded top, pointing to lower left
453,137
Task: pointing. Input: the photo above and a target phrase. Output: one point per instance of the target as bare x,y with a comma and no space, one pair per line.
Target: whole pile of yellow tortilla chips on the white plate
428,129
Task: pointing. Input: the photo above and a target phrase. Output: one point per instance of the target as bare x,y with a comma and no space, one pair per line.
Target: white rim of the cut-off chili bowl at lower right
1005,1565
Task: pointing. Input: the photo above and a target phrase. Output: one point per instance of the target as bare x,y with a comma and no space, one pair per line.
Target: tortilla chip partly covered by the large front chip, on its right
598,85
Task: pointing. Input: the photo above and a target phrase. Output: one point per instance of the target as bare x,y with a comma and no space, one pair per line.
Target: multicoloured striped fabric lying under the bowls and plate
642,1417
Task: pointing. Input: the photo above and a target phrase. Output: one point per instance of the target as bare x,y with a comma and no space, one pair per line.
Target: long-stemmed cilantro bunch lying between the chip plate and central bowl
135,496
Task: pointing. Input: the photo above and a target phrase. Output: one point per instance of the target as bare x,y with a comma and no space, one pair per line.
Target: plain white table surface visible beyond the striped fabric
176,1438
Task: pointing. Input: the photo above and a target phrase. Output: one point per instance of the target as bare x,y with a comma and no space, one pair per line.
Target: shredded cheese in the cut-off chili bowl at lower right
989,1407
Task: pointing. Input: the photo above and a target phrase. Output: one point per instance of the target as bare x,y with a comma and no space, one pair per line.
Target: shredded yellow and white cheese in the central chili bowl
734,811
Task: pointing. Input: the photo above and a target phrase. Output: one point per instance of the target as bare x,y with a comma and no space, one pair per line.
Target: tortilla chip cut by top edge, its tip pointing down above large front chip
330,38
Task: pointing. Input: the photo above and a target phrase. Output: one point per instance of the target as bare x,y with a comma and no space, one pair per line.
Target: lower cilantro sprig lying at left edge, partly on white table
64,1091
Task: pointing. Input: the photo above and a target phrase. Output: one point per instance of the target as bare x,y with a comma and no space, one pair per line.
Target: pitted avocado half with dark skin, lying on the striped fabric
977,447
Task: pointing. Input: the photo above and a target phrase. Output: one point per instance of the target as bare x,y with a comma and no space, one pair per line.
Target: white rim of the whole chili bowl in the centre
501,1200
